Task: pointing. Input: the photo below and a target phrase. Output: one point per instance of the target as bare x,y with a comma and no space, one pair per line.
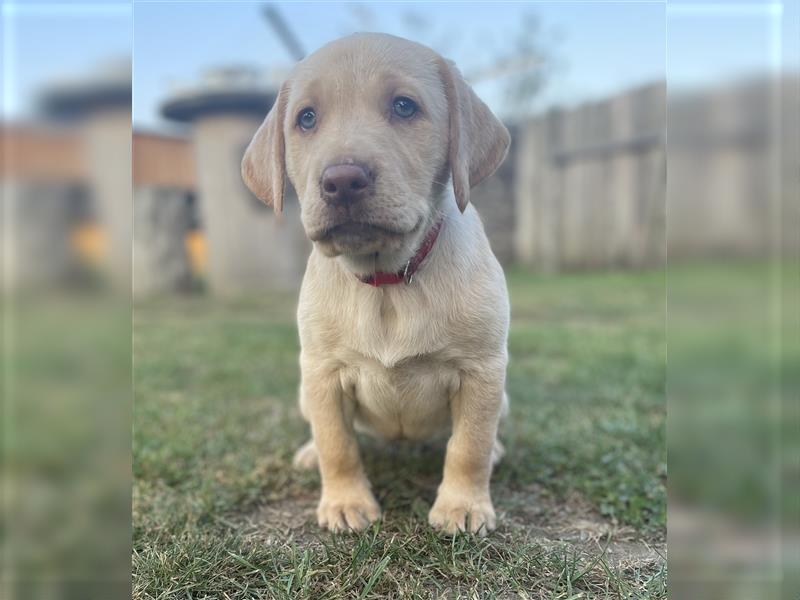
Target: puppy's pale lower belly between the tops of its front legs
408,401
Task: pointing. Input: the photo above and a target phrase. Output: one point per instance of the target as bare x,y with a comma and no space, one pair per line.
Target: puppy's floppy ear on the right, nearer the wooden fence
478,140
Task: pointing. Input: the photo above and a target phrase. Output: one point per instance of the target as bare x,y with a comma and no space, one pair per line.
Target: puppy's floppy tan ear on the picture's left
264,162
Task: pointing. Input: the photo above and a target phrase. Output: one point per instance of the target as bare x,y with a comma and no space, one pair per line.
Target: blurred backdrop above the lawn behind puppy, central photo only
577,125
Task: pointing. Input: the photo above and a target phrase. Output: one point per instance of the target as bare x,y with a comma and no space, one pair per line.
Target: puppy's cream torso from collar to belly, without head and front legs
400,349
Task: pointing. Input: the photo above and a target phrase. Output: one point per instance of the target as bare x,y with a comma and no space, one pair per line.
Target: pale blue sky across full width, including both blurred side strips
594,48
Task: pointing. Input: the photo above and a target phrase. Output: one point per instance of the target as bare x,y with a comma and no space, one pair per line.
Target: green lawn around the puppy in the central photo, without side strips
580,495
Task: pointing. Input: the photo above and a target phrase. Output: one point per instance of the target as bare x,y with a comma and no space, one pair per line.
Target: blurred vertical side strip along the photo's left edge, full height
66,300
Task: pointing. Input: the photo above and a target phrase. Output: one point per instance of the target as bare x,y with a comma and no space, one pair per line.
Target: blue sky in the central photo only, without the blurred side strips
589,56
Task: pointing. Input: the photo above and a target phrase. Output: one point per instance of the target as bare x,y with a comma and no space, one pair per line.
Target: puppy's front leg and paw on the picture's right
463,501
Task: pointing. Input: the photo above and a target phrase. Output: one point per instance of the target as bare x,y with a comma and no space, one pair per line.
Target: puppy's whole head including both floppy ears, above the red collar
369,129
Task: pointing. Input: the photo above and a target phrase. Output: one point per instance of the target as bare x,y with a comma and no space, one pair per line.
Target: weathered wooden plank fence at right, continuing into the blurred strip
590,184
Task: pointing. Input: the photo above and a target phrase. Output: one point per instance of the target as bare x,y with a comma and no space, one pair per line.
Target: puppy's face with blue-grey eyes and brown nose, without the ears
366,135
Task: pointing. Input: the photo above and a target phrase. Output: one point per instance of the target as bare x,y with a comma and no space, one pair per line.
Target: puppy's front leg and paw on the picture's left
347,501
